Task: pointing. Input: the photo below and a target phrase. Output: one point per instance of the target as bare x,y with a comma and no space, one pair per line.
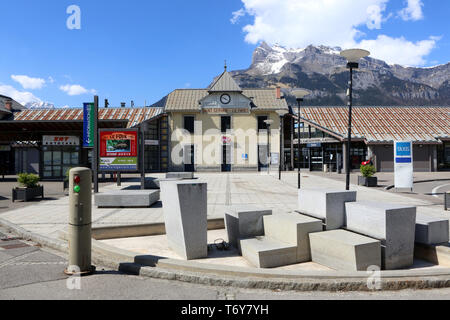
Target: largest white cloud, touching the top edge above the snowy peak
295,23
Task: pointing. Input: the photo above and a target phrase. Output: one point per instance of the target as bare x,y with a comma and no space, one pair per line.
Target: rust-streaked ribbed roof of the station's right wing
383,124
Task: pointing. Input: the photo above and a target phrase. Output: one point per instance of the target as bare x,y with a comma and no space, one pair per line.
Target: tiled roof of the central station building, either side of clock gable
188,99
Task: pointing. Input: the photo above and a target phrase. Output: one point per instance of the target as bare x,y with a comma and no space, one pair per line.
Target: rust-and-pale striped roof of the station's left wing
133,116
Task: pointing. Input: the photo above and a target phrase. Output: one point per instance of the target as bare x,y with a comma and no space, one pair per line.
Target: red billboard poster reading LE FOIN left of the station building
119,150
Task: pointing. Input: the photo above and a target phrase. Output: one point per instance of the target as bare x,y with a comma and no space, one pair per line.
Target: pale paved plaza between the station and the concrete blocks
47,218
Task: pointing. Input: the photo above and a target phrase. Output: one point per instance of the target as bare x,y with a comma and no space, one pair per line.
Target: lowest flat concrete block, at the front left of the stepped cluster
263,252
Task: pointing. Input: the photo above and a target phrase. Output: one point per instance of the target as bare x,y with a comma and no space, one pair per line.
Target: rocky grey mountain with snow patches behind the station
323,71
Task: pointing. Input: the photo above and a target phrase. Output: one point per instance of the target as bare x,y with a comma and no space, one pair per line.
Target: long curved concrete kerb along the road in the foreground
199,273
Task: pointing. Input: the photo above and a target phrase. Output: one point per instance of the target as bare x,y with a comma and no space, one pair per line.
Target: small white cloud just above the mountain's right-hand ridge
400,50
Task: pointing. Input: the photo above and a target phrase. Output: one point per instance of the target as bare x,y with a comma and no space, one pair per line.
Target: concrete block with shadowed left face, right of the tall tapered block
244,221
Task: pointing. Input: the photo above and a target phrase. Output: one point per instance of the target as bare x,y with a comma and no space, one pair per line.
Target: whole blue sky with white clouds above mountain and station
142,50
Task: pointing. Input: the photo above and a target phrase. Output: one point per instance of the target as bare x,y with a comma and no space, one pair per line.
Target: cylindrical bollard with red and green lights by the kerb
80,222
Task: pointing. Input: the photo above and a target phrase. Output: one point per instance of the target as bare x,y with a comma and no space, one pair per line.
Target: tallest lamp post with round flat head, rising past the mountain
353,56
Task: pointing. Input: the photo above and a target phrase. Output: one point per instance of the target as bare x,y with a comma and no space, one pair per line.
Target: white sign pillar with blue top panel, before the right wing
403,160
